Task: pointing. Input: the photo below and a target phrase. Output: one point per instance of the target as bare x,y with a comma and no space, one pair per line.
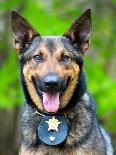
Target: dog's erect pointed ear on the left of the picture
23,32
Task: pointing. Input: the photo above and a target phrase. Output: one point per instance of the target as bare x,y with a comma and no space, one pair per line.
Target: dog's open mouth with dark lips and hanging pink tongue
50,99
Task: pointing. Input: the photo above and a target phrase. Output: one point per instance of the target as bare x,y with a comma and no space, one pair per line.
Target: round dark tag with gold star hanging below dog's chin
52,129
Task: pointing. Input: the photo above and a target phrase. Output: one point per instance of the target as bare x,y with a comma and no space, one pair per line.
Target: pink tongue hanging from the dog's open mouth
51,101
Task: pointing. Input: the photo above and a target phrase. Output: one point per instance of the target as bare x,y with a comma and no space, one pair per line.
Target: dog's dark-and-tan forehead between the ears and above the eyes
51,44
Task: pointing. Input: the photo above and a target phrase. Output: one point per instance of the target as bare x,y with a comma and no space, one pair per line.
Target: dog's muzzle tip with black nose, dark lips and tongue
51,86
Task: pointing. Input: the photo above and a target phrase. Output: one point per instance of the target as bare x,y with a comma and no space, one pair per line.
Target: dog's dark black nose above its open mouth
51,81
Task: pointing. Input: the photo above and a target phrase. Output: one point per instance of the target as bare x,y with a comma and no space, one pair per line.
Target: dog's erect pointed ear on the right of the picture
79,32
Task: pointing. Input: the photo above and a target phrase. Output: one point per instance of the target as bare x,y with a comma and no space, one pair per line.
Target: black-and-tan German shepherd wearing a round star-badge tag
58,117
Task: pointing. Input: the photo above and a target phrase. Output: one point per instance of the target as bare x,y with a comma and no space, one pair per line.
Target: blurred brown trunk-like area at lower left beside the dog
9,128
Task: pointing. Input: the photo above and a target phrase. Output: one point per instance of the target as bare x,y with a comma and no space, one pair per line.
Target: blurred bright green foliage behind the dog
53,17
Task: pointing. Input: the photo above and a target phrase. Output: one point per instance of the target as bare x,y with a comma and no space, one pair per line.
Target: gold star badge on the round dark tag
53,124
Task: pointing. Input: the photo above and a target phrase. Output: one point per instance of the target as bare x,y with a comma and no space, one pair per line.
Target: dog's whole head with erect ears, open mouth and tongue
51,65
